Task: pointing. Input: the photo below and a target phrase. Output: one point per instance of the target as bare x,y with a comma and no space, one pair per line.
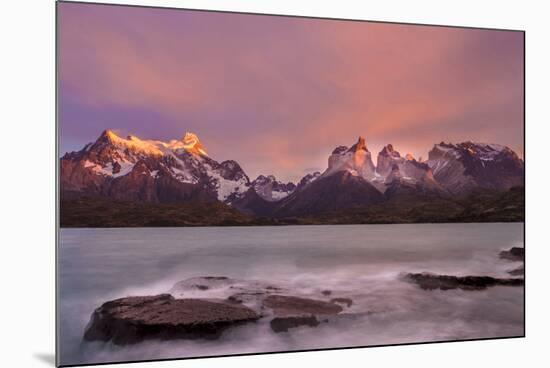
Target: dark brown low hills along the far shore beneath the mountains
480,206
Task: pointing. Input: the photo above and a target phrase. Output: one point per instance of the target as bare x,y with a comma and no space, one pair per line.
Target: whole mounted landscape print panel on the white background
234,183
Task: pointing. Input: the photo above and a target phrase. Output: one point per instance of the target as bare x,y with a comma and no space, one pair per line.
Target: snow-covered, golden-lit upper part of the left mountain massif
184,160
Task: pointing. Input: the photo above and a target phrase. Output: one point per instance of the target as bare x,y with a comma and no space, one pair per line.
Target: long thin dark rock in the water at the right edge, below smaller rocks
428,281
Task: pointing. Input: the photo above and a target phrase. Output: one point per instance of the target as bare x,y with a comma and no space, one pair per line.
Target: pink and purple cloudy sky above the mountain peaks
277,94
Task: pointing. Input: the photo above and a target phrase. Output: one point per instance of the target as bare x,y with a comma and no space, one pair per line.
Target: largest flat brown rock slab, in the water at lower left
134,319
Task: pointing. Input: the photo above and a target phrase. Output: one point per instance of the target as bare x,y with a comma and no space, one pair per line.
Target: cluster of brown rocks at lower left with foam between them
134,319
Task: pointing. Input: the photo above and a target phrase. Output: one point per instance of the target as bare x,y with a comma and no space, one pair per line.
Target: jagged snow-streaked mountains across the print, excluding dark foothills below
180,171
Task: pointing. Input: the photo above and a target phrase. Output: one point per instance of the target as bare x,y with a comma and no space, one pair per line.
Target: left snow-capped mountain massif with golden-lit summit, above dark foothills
151,171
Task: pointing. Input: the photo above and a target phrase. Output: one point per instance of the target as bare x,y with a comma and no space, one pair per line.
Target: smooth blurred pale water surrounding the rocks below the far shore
358,261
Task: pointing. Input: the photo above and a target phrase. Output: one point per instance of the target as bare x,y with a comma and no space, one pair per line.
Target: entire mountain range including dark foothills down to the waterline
123,173
